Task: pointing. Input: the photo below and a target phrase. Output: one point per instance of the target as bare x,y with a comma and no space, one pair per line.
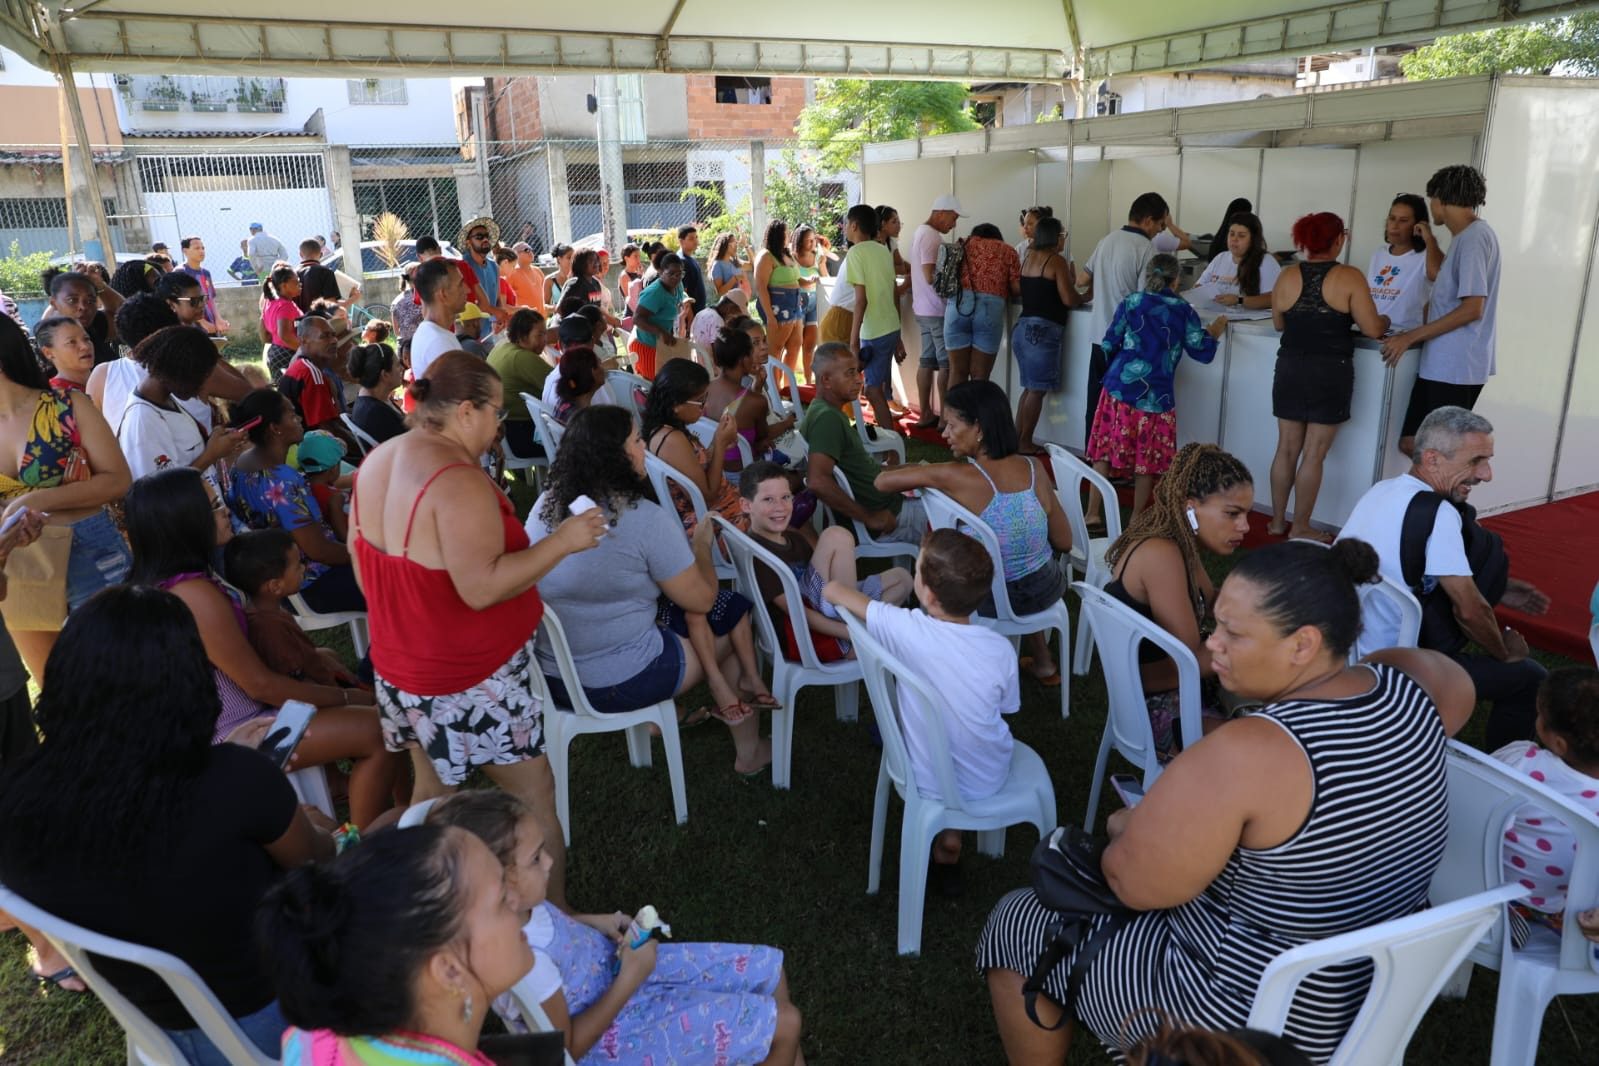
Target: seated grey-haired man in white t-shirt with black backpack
1453,455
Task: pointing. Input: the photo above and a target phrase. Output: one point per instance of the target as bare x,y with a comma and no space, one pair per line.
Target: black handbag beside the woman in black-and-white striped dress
1069,880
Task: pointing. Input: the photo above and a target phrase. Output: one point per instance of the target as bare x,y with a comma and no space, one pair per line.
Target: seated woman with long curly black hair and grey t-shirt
631,602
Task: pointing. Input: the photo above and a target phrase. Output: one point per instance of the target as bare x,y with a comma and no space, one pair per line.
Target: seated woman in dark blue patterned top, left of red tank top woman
268,493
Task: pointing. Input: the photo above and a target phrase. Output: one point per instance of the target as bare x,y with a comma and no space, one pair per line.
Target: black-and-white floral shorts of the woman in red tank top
495,723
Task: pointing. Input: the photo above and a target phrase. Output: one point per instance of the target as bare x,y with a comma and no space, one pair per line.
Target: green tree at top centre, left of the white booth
851,113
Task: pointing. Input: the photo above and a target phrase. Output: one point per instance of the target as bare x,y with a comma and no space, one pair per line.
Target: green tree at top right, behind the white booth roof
1566,46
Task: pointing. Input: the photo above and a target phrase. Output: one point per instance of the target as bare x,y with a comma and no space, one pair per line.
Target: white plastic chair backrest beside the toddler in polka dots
1485,795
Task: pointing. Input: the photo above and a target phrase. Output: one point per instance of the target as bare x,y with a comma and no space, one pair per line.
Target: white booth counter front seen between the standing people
1229,402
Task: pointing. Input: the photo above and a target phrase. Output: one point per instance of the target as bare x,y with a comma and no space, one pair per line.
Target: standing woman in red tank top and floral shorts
452,602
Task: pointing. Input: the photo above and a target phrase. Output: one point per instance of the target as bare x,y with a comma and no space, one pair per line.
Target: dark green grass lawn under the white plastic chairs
789,869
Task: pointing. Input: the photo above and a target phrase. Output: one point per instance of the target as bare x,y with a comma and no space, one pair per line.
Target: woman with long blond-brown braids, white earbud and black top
1202,503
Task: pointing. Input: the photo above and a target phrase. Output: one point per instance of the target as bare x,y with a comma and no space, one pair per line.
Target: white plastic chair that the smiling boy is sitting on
789,677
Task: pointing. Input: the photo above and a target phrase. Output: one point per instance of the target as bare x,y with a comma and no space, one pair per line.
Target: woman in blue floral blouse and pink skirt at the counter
1136,423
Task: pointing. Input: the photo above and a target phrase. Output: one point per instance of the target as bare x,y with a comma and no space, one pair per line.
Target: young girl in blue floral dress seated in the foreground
660,1004
